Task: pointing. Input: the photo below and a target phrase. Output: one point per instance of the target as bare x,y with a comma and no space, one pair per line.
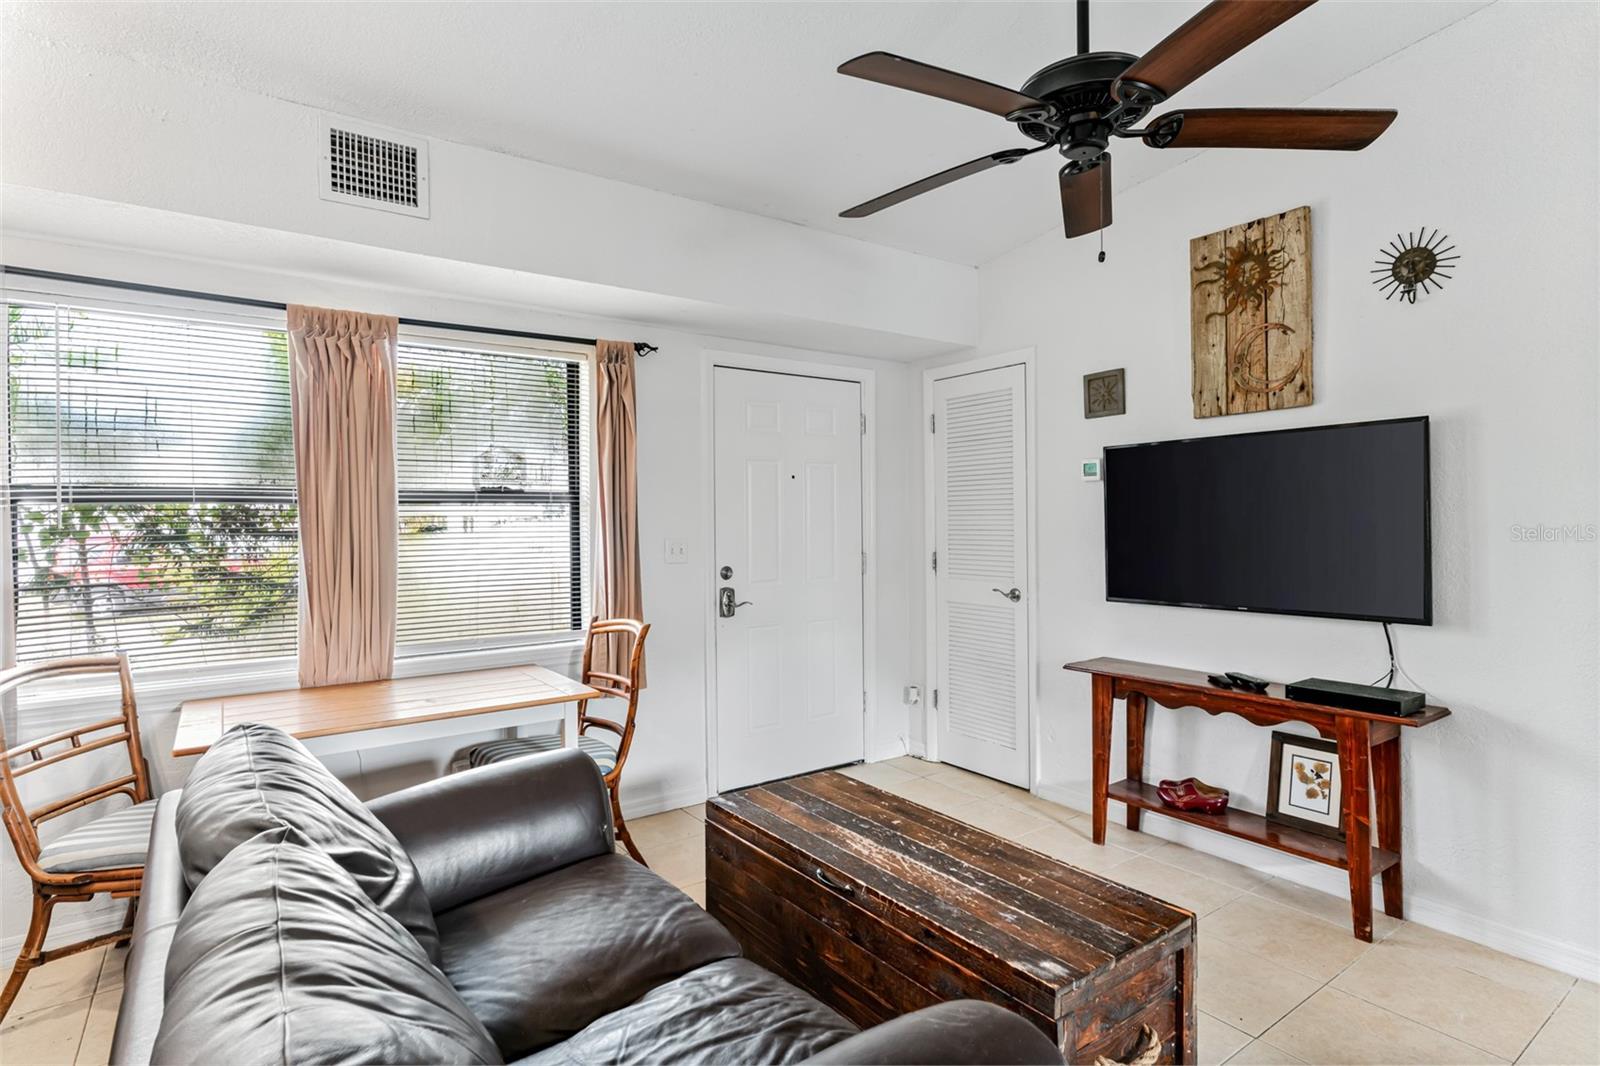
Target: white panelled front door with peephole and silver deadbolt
788,566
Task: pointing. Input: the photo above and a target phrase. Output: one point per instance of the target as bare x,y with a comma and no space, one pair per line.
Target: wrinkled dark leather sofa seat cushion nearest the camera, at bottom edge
726,1012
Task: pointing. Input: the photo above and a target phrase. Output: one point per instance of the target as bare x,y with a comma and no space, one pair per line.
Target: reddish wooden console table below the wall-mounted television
1369,764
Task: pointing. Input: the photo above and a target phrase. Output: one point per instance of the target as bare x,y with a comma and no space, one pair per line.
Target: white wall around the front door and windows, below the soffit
668,763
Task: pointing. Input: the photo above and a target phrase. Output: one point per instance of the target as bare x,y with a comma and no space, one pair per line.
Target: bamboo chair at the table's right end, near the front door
609,758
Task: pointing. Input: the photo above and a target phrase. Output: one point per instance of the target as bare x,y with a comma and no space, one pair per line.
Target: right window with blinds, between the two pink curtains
489,446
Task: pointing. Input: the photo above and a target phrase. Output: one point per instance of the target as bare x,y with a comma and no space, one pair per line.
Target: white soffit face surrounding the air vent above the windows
122,132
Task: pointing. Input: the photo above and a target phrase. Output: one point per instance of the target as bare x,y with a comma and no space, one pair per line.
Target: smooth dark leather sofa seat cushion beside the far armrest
540,961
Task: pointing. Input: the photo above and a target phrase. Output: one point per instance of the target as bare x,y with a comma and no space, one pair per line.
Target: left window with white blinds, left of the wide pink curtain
151,487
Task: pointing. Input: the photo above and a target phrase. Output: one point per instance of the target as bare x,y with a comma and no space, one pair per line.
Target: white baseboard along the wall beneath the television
1569,958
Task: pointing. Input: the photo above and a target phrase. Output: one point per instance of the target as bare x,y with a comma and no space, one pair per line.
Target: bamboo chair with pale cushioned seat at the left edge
92,859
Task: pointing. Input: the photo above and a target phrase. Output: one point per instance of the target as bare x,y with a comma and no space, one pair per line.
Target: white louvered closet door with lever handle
982,582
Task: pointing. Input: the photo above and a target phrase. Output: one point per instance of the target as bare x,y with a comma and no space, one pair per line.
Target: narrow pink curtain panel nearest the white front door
618,593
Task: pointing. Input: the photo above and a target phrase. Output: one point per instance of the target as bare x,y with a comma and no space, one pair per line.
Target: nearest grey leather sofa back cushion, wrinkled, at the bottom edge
282,958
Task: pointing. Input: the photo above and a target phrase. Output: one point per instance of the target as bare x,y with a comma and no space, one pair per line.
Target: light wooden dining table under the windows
335,719
